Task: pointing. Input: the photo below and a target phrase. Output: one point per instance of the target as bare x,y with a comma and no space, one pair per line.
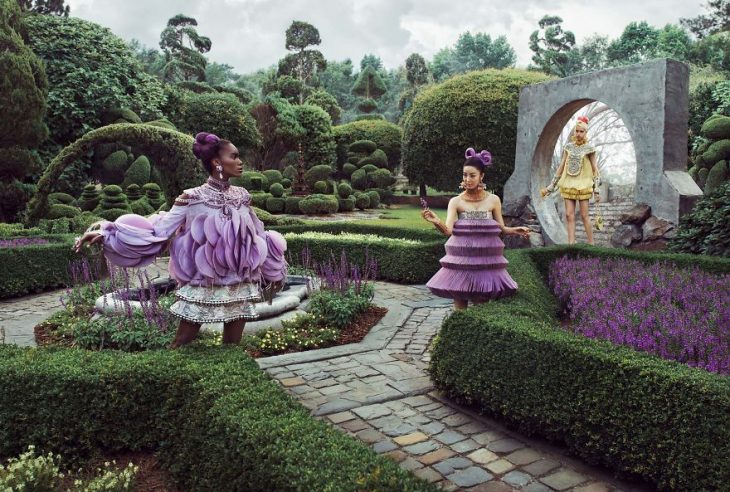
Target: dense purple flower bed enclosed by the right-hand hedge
678,314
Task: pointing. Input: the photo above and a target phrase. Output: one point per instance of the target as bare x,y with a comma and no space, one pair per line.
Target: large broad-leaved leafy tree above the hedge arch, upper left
83,84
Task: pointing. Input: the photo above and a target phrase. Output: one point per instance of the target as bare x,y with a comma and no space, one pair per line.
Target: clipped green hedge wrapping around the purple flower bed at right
634,412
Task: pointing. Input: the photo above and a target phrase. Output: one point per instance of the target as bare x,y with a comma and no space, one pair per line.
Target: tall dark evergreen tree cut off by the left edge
23,89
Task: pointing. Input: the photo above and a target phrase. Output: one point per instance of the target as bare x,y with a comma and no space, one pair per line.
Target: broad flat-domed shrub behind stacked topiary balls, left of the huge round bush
386,136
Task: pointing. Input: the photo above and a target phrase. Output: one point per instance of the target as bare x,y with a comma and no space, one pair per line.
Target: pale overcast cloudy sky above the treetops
249,34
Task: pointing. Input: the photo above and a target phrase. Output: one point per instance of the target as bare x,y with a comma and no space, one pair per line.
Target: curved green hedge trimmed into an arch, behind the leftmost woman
171,153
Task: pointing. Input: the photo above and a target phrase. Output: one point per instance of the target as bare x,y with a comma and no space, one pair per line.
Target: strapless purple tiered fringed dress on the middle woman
474,268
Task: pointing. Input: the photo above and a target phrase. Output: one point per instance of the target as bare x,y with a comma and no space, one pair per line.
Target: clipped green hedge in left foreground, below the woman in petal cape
216,421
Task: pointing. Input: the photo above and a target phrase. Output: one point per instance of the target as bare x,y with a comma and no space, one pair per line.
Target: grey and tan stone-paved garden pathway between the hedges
379,392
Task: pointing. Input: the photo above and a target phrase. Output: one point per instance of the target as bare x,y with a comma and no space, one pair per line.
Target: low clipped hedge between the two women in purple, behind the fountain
406,263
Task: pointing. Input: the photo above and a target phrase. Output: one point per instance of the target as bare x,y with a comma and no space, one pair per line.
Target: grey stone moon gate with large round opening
652,99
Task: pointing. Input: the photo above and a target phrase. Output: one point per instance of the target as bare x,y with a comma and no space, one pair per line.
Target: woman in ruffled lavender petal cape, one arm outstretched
220,254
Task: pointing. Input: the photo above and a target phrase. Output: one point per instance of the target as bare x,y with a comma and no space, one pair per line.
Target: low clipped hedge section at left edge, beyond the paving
38,267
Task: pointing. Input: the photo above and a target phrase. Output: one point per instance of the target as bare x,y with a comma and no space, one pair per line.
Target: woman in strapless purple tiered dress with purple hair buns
473,268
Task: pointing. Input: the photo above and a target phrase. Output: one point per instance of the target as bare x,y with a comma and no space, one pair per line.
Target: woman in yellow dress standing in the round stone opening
577,179
